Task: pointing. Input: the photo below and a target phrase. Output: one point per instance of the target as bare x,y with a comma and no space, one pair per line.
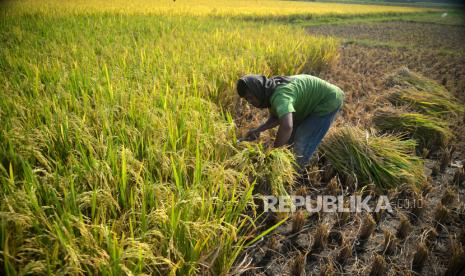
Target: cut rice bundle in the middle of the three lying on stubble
430,132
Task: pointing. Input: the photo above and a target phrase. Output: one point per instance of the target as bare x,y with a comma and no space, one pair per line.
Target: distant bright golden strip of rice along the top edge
257,8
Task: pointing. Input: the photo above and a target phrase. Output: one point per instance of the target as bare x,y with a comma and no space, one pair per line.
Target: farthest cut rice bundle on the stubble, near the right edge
422,95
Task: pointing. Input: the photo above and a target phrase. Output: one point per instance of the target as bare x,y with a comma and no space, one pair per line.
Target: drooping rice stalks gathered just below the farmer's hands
273,169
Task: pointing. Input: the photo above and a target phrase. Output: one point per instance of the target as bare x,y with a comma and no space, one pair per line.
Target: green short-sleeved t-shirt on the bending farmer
306,95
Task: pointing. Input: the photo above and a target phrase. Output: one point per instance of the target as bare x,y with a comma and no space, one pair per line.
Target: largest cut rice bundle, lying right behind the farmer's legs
386,161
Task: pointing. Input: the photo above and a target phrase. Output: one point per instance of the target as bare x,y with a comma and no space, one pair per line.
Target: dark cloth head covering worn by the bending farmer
261,87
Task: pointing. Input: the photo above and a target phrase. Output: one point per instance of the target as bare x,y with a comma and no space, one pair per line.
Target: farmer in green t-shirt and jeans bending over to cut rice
303,106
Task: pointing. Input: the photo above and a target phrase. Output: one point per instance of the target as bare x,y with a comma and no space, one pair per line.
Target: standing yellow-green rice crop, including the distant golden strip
117,144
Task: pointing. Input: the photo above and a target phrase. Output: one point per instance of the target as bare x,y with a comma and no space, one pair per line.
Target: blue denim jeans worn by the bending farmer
308,136
